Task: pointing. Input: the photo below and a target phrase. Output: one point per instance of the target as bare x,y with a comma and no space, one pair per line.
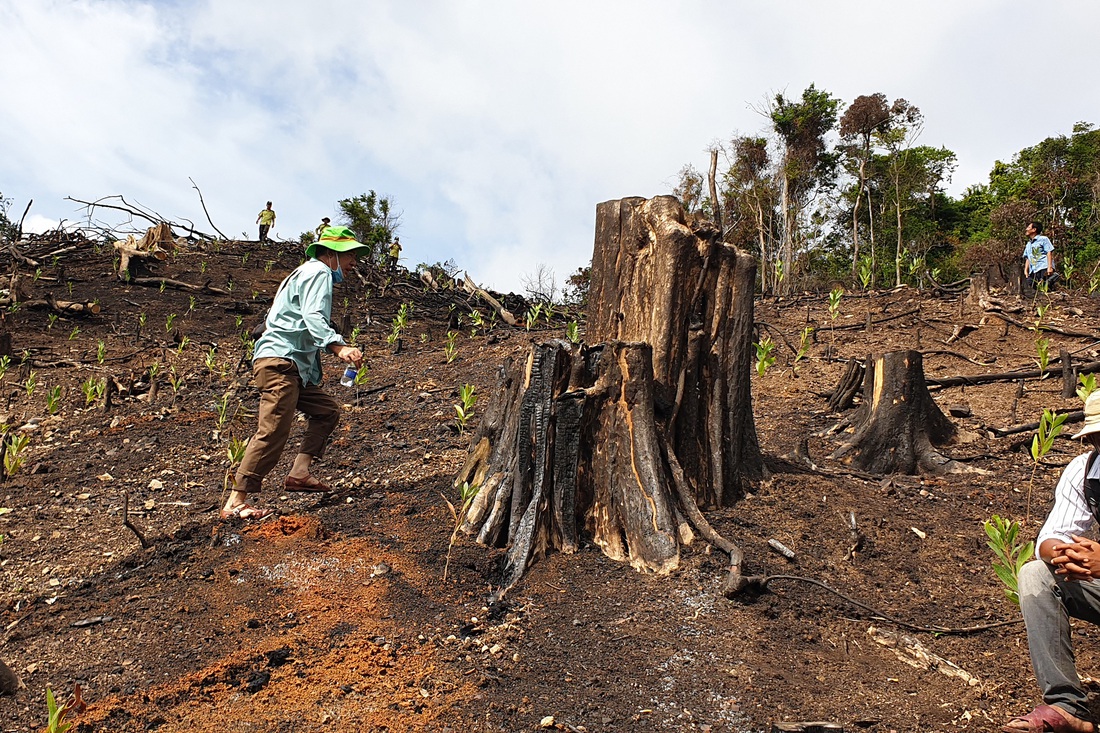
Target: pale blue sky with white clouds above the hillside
498,127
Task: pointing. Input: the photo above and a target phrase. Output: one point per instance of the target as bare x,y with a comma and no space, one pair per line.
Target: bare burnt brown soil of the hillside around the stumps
336,615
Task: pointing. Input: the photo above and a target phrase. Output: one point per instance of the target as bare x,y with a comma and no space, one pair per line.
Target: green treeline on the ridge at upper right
829,194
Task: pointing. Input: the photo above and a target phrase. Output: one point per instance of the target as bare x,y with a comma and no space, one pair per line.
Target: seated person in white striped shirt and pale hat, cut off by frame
1064,582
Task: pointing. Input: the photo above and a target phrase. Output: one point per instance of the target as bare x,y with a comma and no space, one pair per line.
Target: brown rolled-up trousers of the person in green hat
281,395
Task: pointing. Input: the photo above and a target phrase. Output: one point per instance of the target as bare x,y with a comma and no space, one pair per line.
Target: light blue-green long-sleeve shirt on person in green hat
298,326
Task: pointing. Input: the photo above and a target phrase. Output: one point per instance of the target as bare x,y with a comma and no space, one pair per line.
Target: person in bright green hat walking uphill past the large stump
288,369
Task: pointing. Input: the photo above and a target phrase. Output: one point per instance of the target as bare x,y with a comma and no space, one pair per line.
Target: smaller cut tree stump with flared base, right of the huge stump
898,426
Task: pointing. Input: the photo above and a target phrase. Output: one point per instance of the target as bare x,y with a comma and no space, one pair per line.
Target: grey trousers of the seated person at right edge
1048,601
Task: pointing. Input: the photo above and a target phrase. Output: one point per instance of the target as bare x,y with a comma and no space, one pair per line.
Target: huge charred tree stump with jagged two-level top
623,441
